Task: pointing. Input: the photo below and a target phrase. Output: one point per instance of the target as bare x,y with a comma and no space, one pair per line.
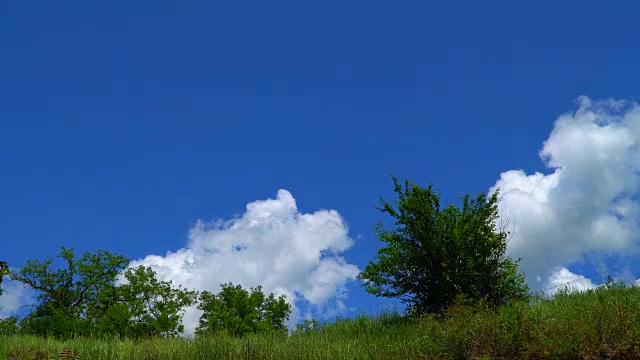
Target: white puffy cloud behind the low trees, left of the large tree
273,245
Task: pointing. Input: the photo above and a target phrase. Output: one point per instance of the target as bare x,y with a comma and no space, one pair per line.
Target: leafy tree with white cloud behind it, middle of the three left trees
143,307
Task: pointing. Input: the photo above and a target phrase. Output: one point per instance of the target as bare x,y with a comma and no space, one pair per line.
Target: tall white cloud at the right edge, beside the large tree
587,205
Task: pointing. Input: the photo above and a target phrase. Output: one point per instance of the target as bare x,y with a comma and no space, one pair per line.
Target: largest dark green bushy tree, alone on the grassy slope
435,255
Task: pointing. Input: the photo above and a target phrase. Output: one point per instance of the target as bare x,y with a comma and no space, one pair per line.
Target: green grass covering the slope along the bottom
598,324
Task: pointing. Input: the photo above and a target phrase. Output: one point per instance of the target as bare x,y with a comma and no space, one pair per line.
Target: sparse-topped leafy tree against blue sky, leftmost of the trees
65,293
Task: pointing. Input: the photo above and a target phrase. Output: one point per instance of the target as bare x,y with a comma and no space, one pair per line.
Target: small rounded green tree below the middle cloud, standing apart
237,312
